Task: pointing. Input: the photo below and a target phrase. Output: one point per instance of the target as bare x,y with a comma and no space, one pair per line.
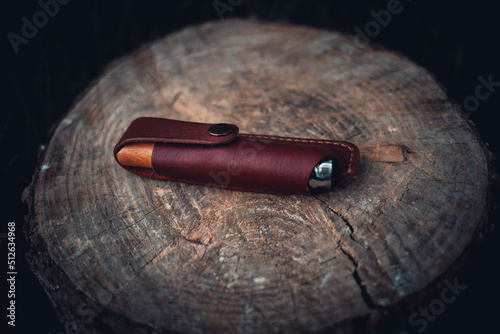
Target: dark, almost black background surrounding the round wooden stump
456,41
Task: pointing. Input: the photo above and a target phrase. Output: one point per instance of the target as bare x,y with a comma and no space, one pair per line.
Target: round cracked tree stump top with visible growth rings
115,251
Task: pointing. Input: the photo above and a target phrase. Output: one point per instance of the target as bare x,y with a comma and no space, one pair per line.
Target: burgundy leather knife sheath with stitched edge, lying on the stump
187,152
